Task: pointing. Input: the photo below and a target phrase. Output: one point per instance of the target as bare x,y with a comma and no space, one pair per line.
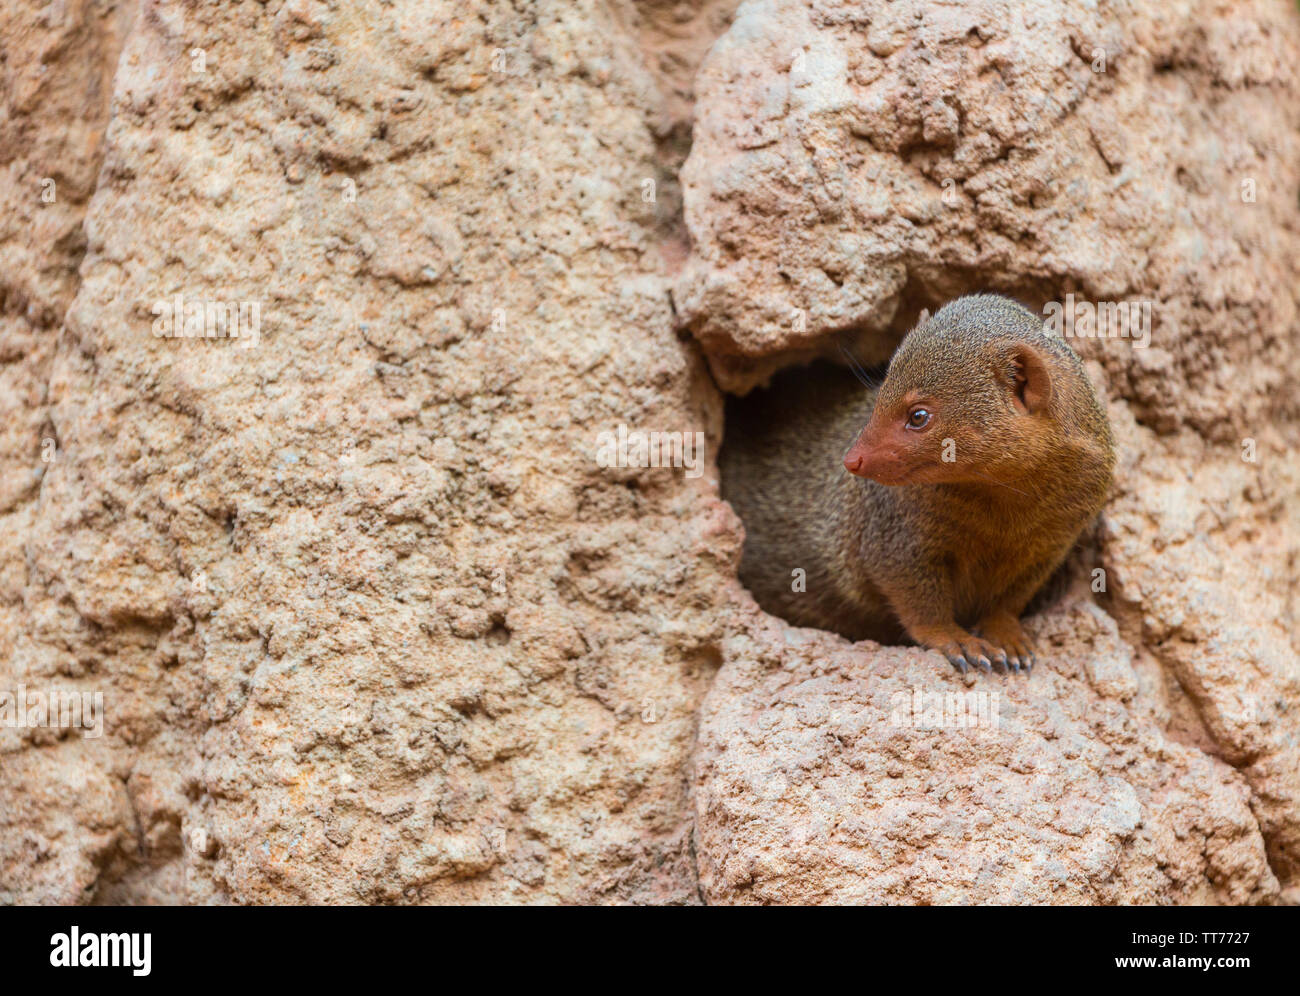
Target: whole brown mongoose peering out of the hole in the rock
934,506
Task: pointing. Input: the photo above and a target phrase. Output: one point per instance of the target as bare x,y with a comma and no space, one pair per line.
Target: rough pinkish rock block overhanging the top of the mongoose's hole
855,162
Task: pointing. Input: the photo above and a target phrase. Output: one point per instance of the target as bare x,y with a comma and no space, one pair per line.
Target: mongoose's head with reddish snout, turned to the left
977,393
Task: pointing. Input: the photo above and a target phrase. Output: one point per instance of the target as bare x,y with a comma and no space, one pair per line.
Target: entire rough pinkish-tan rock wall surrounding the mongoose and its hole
371,622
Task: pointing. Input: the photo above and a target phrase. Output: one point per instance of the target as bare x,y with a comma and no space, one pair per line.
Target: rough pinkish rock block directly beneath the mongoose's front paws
817,785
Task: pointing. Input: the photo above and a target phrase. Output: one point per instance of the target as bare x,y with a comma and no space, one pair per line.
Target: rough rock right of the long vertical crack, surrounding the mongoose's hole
856,162
